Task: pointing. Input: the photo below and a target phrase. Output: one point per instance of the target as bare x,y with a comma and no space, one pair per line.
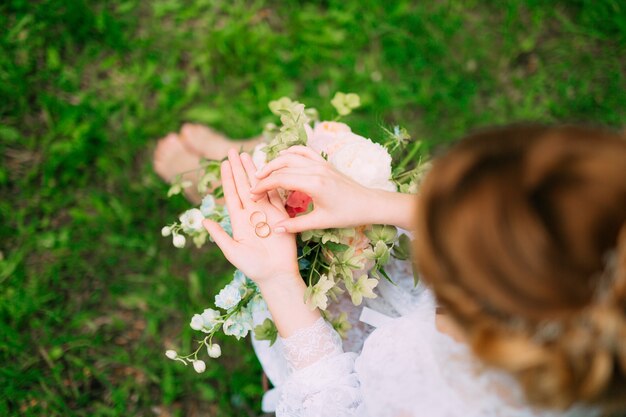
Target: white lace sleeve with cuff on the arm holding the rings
323,383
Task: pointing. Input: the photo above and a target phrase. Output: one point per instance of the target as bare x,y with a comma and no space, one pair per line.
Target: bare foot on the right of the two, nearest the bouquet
210,144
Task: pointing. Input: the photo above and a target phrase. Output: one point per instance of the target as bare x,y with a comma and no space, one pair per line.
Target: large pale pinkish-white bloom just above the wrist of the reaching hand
366,162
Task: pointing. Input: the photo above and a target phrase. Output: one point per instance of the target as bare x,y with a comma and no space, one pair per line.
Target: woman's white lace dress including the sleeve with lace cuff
396,365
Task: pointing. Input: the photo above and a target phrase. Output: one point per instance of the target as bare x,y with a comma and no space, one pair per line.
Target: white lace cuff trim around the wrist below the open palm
311,344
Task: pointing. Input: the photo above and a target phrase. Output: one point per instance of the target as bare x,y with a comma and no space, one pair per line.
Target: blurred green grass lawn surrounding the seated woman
90,293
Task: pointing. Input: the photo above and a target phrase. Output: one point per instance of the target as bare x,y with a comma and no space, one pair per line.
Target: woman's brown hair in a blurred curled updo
521,233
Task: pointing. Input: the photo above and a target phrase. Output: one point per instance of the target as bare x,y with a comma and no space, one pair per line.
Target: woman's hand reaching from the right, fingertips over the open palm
338,200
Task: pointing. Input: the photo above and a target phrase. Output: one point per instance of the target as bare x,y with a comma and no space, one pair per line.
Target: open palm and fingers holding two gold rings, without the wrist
262,258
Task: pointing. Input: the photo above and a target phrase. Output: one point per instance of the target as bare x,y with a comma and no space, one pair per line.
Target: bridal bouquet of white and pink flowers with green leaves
331,261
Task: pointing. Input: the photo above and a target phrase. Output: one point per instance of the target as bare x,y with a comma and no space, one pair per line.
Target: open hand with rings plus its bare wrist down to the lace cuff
268,259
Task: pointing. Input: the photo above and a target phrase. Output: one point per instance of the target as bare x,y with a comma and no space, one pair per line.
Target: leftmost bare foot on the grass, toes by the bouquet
172,158
